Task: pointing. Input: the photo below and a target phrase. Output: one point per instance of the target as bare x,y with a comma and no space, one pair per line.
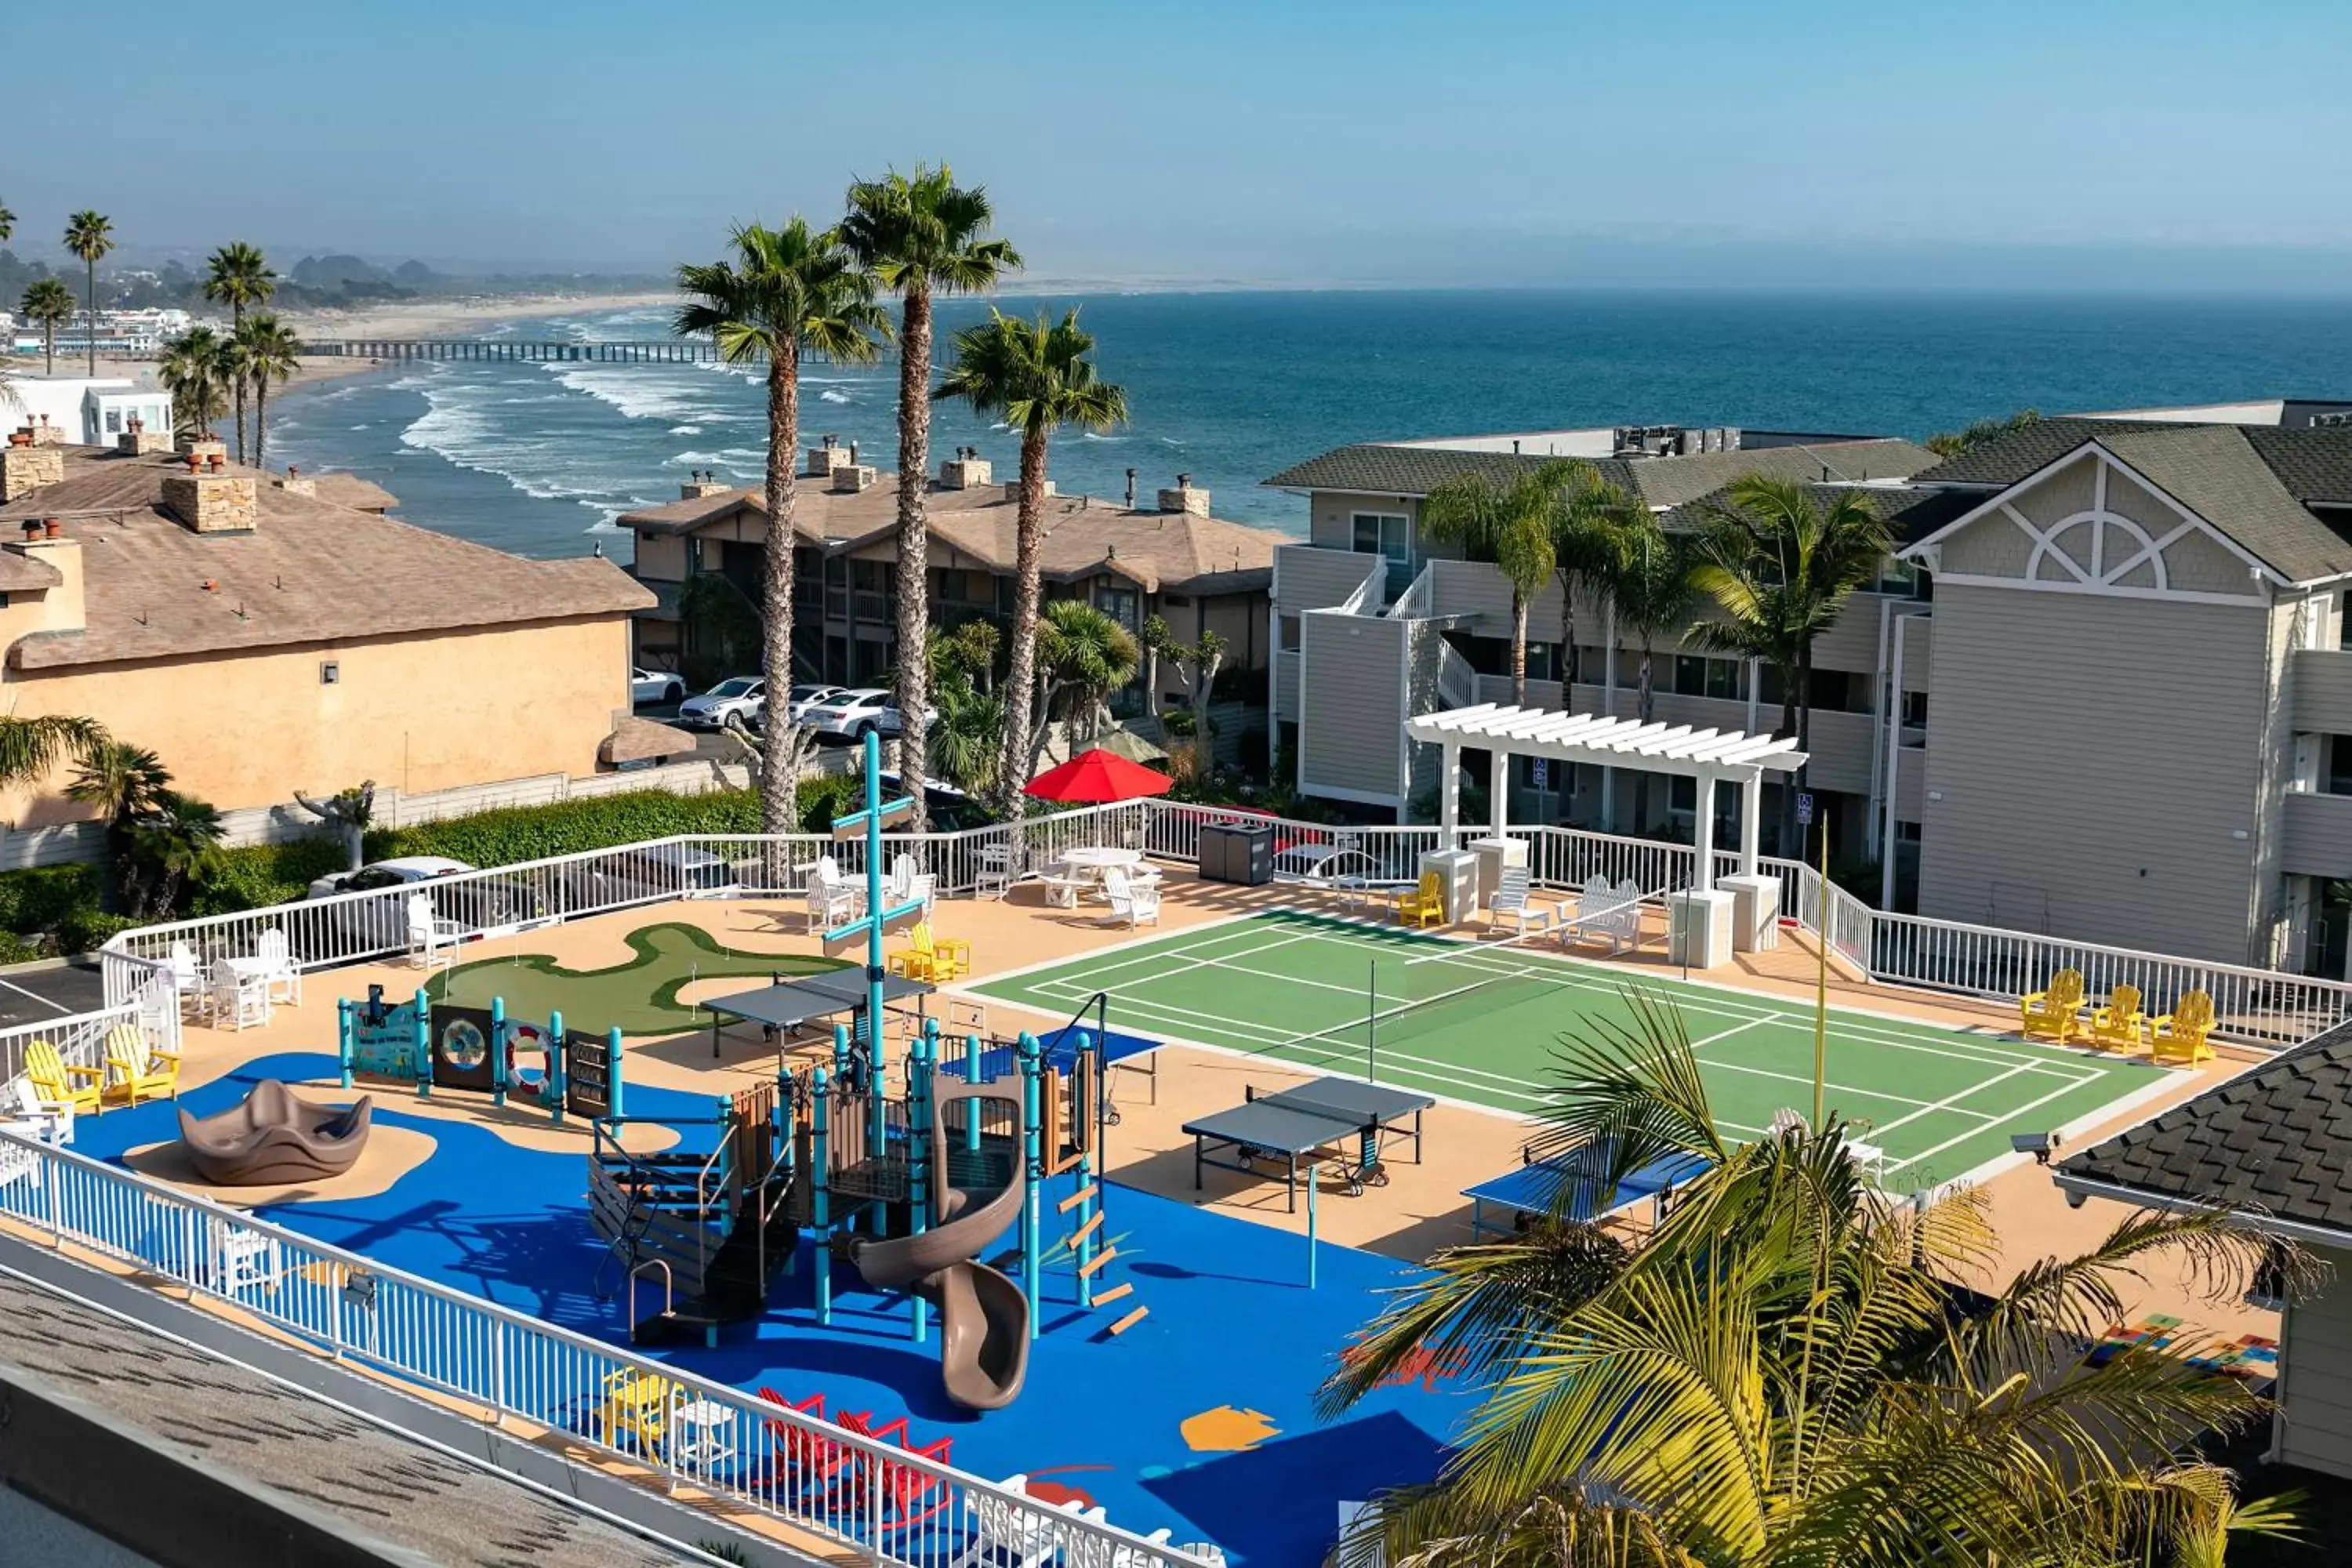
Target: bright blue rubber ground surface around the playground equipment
1198,1419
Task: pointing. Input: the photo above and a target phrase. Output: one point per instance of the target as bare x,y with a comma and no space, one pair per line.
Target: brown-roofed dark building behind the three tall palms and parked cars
1170,561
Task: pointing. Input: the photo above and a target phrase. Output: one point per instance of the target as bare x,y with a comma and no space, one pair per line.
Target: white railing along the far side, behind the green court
2254,1005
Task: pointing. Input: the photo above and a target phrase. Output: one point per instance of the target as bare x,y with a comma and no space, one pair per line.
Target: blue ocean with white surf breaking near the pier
1231,389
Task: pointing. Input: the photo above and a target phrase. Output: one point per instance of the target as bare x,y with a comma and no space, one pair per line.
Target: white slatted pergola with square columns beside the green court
1709,756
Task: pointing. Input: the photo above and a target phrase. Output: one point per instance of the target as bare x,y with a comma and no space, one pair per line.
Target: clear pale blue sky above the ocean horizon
1829,142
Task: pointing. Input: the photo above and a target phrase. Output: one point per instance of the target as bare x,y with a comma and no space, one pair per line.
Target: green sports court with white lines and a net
1483,1024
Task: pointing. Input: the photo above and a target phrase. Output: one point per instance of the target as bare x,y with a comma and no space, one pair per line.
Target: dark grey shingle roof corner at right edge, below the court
2269,1141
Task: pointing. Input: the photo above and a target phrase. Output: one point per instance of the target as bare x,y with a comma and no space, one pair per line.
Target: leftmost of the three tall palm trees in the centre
784,290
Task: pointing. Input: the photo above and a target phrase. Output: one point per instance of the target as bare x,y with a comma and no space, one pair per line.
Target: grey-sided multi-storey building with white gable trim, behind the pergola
2167,582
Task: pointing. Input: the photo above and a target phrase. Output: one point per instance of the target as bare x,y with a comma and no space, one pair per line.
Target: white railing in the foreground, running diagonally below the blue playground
867,1501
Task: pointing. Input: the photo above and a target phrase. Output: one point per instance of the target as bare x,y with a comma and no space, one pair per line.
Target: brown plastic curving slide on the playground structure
982,1315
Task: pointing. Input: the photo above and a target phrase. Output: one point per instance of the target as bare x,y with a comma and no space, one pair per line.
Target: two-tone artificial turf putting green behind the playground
639,996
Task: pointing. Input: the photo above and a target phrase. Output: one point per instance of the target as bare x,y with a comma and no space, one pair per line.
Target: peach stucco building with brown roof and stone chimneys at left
265,638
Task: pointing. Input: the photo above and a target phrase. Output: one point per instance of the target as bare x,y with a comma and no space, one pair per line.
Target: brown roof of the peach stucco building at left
312,572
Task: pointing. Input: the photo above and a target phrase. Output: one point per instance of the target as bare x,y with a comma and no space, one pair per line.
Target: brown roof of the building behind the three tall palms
1158,551
